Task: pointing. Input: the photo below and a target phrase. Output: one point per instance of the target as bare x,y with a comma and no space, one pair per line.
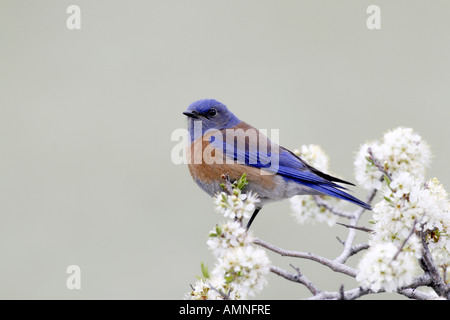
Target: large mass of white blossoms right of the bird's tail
411,208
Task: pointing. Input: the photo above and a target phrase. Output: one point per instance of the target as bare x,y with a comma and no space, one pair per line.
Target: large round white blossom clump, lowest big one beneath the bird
245,267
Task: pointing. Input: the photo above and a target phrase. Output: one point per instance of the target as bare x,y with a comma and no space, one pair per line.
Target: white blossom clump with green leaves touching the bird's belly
236,206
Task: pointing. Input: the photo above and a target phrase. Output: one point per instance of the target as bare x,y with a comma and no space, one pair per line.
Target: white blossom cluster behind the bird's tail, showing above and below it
304,207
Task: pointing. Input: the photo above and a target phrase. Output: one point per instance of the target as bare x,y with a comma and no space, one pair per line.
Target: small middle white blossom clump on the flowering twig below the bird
228,235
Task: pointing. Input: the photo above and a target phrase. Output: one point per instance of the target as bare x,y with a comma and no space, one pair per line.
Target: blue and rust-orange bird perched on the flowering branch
221,144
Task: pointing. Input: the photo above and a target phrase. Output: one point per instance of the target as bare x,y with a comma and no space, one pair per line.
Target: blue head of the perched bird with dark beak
212,114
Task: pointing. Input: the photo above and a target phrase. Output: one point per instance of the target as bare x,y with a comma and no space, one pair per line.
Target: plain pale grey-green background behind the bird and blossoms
86,116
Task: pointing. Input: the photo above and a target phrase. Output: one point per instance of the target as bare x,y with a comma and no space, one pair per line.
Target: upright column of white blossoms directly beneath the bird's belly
241,268
